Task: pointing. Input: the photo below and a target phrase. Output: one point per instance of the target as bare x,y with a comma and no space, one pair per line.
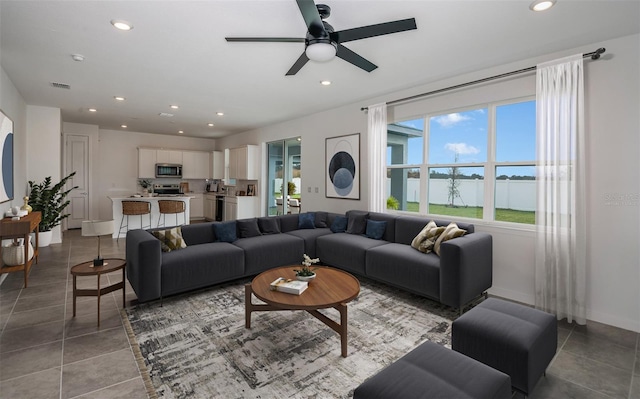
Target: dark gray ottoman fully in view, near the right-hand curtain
515,339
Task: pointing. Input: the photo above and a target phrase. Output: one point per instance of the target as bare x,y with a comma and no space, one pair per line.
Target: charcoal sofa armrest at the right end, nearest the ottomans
466,268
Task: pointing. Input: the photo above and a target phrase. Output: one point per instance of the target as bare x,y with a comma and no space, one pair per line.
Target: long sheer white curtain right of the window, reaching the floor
560,274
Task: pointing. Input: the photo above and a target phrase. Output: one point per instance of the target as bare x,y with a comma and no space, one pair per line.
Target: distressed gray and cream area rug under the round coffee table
196,344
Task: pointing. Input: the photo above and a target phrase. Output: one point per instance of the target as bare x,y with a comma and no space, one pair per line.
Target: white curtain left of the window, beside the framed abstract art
377,145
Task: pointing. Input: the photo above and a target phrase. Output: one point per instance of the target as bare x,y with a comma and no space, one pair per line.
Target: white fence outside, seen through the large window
510,194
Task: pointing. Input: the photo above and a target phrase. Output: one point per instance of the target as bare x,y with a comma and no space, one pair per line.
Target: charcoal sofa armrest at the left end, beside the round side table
144,260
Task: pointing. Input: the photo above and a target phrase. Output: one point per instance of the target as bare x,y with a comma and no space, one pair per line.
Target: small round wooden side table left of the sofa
87,269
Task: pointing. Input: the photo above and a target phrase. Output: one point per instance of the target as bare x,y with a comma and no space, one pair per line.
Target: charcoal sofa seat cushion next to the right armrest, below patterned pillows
402,266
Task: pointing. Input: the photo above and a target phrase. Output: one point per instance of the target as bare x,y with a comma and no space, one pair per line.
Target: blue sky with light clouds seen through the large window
465,133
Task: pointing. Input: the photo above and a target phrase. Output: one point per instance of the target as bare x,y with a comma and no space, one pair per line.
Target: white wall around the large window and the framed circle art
612,126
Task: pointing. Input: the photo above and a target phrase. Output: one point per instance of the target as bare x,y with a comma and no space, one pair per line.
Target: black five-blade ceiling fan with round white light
322,43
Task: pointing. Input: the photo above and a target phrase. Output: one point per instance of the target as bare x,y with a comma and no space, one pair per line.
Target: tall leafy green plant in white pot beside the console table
51,202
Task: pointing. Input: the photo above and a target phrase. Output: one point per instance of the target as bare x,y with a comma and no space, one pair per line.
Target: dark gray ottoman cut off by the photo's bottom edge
433,371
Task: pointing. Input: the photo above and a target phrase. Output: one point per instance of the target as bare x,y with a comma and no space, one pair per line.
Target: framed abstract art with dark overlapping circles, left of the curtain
342,167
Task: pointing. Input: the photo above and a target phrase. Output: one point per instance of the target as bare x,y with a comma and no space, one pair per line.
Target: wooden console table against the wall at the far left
21,229
